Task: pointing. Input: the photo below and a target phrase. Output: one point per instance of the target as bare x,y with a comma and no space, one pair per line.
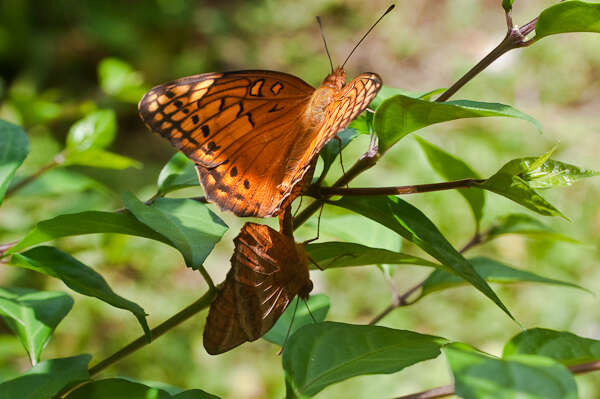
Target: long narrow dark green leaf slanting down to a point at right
413,225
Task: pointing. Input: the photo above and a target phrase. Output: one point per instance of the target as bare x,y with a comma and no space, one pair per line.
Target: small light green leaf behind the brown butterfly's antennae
300,316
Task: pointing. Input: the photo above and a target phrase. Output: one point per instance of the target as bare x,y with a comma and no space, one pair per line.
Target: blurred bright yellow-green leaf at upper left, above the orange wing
118,79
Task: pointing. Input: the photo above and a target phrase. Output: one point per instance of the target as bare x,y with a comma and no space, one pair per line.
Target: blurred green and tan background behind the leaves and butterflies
50,54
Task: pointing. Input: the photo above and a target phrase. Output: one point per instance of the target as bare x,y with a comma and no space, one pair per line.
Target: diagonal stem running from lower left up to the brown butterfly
156,332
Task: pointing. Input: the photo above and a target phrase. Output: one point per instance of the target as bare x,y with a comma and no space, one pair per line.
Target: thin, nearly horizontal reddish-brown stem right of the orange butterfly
400,190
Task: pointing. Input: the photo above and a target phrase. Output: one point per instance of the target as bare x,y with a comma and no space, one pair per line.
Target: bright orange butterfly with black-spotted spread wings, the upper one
254,135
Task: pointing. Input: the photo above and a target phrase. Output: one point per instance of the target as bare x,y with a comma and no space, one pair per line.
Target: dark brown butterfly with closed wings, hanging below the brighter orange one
268,269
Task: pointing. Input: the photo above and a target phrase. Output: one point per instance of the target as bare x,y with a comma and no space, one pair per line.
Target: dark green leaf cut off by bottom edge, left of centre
120,388
